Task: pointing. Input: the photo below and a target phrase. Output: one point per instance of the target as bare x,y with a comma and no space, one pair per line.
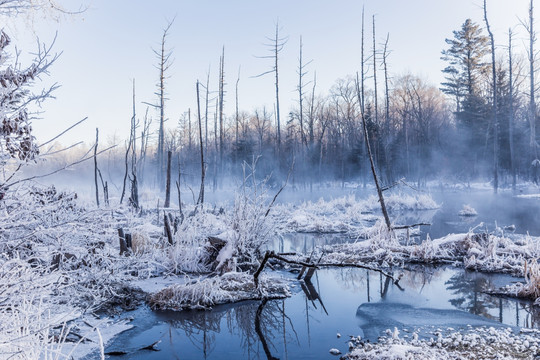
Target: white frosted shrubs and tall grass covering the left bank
61,256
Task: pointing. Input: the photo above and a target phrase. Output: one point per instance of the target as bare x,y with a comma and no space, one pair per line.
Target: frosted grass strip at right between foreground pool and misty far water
475,251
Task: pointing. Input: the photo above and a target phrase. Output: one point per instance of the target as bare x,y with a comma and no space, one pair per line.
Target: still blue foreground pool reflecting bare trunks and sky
348,301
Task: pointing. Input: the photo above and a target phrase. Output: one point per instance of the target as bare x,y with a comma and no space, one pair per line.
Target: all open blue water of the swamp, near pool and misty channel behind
349,301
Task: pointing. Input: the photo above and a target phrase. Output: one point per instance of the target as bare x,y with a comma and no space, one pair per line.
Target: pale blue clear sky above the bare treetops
111,44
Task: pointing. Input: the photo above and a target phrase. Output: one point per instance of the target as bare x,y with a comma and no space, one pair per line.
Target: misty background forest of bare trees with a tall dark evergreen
469,128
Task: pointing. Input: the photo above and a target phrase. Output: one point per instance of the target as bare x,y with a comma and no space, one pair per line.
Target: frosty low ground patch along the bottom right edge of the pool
480,343
